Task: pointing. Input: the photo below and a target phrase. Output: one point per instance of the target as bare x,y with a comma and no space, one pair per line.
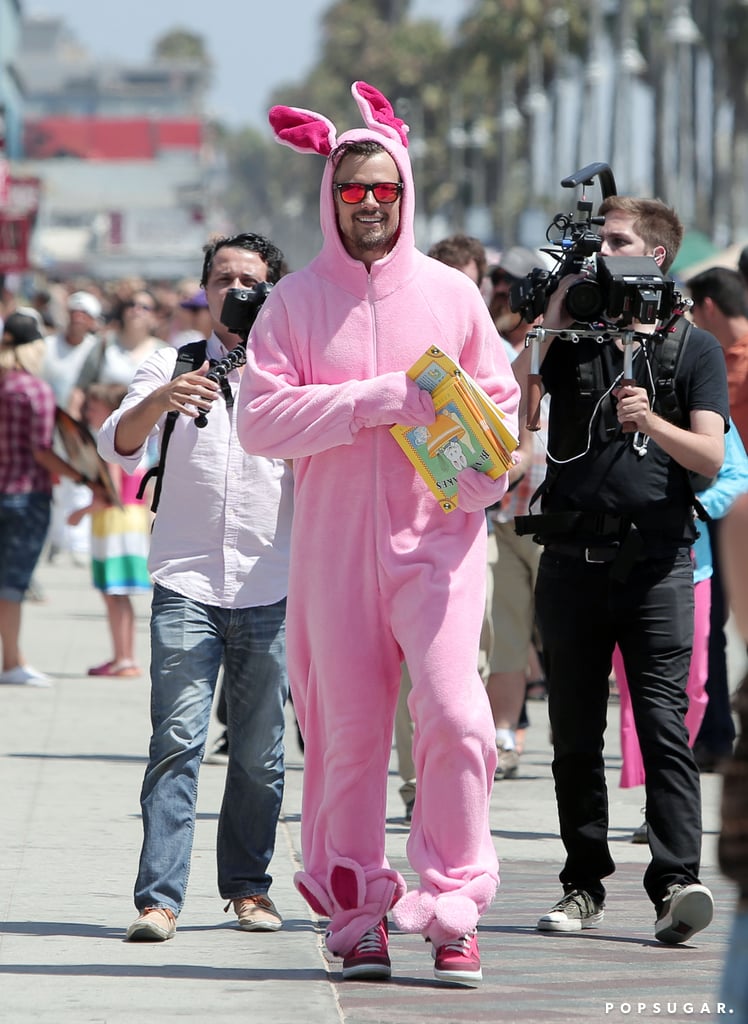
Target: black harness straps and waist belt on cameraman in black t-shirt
672,342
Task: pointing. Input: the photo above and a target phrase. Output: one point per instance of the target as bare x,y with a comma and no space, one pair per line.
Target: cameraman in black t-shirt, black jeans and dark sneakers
617,525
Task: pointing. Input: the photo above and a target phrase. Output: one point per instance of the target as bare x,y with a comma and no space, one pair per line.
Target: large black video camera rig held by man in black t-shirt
615,288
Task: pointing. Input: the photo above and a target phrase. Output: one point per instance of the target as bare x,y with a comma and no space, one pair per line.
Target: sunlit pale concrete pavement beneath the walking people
71,764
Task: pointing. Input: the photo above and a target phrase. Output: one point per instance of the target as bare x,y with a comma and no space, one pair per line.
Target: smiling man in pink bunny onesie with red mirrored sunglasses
379,572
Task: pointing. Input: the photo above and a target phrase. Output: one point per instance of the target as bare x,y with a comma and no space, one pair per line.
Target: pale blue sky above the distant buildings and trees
256,48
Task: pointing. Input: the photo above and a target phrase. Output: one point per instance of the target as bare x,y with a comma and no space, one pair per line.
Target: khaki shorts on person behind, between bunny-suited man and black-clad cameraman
513,599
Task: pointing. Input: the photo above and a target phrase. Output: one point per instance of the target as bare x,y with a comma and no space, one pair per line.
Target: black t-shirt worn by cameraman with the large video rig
601,470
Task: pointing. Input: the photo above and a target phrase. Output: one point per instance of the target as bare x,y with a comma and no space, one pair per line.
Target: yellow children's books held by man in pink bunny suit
470,430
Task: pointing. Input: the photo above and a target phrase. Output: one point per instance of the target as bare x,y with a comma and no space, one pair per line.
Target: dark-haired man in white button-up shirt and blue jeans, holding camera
220,564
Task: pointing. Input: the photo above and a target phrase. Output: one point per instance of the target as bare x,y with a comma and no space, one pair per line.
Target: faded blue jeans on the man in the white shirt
189,644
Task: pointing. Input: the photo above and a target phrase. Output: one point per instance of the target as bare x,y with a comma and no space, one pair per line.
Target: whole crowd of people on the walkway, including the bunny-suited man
579,559
